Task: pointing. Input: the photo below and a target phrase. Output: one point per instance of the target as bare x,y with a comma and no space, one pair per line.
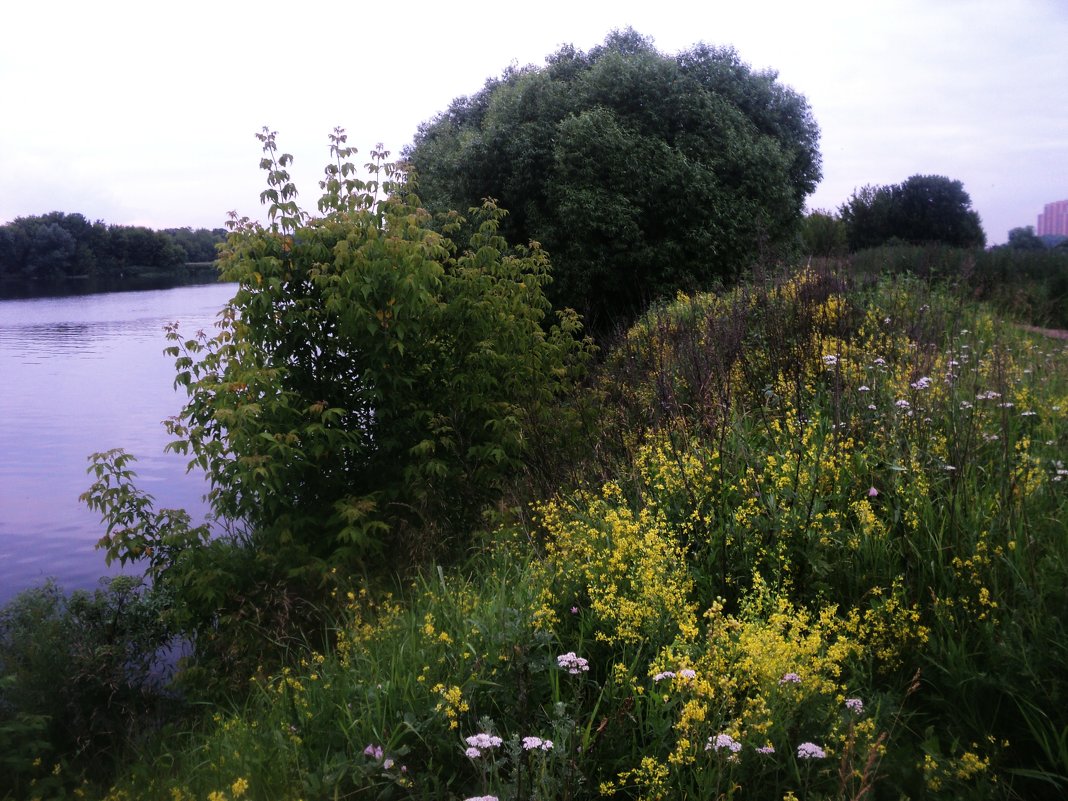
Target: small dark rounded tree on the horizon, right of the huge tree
924,210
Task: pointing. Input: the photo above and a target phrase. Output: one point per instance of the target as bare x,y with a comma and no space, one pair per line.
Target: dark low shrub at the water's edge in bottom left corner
80,682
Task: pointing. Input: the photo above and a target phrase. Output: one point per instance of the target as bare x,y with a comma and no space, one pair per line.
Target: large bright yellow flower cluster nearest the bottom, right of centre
749,679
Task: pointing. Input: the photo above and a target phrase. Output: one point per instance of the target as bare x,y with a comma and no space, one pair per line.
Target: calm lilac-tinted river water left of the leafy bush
81,375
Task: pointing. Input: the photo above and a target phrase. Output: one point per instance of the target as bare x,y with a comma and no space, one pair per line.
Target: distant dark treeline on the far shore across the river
59,245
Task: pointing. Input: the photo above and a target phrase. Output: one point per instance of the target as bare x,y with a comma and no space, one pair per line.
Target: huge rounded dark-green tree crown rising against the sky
640,174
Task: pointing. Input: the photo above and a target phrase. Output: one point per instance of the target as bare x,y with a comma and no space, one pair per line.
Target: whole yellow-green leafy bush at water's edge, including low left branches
369,391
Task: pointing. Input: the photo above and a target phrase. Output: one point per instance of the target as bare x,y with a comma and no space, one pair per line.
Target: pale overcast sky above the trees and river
147,113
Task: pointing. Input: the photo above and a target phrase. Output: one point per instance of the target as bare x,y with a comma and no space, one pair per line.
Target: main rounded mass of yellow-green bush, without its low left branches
368,380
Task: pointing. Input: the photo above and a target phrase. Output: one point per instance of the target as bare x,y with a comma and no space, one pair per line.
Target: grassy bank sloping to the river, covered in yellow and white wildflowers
816,552
